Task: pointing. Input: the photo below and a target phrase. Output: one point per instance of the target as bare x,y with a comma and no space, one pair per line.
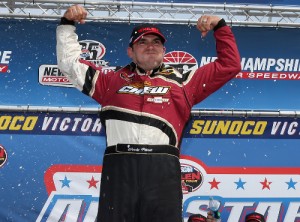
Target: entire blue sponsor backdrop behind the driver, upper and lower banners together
51,162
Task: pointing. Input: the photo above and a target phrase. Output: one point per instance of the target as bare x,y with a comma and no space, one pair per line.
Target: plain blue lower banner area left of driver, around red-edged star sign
23,189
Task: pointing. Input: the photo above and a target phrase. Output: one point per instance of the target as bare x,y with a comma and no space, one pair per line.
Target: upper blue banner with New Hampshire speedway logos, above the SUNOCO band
29,74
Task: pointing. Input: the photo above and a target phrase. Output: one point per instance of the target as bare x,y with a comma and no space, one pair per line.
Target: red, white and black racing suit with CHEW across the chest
144,114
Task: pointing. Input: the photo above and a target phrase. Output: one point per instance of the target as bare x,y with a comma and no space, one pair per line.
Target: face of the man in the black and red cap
148,52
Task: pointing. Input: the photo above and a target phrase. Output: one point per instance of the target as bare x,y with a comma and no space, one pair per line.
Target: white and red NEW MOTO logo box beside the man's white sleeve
51,75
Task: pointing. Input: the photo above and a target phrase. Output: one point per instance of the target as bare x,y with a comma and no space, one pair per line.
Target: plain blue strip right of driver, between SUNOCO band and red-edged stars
243,152
